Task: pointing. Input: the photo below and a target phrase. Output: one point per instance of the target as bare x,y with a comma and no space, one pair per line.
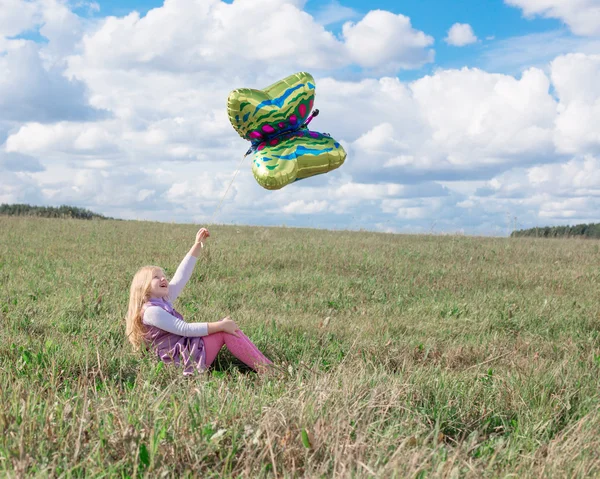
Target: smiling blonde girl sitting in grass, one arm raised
152,321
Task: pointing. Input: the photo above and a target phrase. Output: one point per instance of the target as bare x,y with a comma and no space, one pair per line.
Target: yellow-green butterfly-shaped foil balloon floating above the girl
275,121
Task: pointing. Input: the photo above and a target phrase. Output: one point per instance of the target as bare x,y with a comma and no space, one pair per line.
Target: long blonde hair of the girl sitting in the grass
139,293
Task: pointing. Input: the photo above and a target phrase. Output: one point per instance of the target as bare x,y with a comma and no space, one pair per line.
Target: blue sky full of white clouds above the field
126,117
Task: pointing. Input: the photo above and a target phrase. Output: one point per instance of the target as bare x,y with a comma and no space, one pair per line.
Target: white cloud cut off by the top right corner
582,16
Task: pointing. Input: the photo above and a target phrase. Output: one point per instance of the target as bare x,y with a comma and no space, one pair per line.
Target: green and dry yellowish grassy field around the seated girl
404,356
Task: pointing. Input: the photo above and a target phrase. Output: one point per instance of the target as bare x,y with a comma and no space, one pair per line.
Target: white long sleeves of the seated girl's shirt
159,318
